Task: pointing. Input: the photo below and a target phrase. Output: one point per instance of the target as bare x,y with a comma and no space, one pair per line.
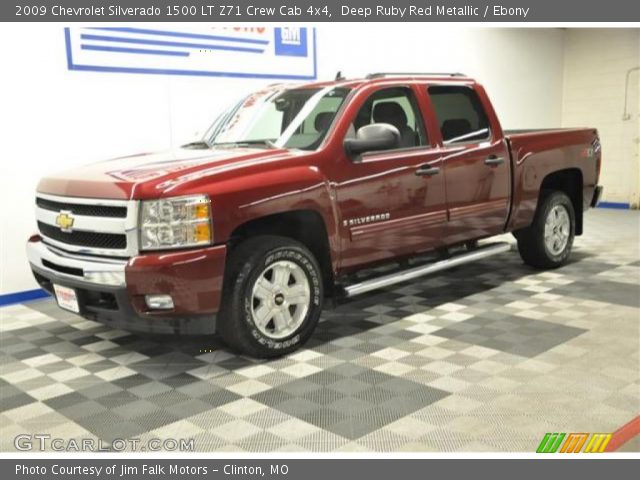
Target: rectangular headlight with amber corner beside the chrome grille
175,222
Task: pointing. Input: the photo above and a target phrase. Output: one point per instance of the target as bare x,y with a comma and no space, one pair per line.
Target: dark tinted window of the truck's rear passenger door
459,113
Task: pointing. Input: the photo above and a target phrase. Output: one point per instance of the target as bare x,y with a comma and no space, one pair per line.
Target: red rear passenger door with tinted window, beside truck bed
475,163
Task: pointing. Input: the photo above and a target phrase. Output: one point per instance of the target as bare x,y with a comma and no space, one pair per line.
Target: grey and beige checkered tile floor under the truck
486,357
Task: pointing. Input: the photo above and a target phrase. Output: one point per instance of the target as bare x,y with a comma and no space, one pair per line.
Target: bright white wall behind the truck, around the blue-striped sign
53,119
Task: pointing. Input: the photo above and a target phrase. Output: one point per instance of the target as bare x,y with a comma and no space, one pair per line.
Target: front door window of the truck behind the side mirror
398,107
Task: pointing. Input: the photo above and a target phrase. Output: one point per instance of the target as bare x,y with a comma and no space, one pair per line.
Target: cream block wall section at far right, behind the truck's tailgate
596,64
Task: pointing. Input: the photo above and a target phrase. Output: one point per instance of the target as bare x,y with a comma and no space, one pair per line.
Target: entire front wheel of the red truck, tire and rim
273,297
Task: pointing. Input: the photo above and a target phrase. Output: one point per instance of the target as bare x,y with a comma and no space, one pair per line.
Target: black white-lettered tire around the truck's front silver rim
247,265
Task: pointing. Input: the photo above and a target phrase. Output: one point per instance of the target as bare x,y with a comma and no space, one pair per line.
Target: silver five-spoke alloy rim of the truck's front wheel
280,299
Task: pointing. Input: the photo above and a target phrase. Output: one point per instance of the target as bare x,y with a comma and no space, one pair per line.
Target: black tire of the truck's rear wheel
533,248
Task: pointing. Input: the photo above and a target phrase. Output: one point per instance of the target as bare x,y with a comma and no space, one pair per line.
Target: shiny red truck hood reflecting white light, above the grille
124,177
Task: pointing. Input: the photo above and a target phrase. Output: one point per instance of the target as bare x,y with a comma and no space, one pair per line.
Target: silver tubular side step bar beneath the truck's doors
416,272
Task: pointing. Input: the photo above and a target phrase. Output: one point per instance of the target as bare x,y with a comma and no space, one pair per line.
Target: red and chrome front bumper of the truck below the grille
113,291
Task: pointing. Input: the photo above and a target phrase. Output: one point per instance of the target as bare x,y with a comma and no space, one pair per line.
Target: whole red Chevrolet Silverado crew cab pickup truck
293,190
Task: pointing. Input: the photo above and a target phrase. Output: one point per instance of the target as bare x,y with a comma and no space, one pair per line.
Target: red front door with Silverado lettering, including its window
391,202
